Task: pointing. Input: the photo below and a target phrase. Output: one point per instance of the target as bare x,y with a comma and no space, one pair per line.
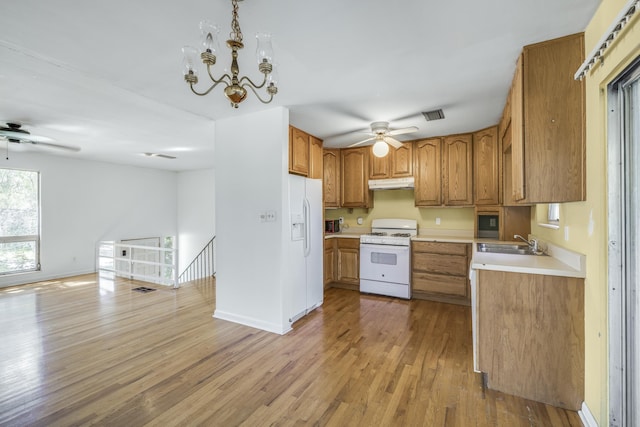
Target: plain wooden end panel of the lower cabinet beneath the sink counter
532,326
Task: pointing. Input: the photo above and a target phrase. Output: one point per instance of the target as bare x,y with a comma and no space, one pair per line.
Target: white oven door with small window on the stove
384,263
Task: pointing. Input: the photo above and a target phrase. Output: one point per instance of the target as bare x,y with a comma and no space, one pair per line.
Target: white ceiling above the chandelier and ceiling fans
106,76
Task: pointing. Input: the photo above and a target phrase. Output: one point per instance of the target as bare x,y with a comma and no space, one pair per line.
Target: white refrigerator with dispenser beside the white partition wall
305,255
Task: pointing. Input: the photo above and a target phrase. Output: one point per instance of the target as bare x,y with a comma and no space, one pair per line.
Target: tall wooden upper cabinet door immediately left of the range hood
355,172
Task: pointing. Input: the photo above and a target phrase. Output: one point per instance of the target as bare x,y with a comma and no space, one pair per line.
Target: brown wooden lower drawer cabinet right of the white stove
439,272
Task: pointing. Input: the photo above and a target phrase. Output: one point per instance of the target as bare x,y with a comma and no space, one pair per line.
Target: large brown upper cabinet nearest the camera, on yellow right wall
545,158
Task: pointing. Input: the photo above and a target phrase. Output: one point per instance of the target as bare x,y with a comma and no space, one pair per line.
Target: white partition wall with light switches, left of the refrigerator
250,172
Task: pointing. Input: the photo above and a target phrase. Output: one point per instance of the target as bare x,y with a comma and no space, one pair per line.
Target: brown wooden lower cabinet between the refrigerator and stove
344,256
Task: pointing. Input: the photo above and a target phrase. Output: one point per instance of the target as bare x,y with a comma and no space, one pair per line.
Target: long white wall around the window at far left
83,202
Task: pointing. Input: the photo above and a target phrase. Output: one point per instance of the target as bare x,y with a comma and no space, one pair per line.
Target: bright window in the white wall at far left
19,221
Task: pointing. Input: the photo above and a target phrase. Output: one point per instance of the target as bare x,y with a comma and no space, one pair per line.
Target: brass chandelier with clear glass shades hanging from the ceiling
235,88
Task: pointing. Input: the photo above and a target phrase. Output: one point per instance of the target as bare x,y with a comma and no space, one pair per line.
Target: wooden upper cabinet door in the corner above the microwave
486,167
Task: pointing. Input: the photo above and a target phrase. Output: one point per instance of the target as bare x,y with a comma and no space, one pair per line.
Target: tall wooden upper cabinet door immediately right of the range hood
427,172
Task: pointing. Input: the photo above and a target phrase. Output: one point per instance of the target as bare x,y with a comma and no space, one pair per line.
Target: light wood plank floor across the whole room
87,351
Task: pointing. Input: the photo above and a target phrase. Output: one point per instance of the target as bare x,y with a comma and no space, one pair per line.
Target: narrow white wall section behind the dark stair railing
196,213
